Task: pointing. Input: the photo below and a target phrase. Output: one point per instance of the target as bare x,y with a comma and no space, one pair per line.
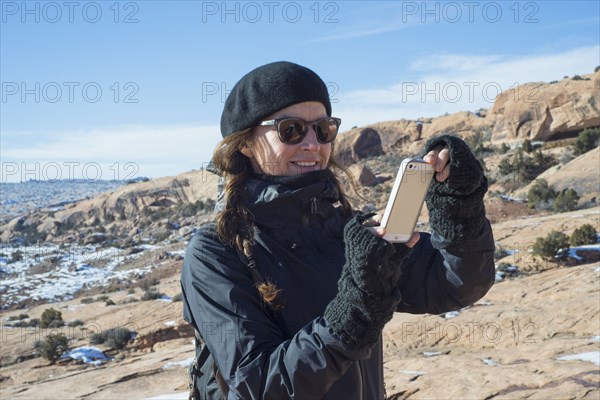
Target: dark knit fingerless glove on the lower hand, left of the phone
368,288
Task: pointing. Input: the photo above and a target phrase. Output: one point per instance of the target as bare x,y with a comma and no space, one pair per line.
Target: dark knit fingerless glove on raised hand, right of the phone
455,206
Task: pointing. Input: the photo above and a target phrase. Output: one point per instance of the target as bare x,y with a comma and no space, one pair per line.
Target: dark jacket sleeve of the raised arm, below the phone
441,275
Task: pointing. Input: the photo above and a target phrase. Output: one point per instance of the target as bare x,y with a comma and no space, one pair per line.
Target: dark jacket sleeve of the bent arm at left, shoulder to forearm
250,350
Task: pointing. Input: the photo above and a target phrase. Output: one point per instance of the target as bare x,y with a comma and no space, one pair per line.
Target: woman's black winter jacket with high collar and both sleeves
292,353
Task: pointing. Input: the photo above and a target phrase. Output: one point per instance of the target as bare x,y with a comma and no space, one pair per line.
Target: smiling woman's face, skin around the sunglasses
271,156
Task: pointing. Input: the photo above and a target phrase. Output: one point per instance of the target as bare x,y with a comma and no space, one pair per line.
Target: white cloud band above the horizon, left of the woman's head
152,150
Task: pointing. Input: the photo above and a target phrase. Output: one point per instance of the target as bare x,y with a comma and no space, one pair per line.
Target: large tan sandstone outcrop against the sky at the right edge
542,111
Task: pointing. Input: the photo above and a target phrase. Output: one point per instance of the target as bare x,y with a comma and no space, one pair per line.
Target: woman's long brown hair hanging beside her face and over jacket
235,223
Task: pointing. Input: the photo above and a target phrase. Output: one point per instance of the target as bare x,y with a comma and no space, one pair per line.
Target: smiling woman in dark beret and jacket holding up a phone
288,289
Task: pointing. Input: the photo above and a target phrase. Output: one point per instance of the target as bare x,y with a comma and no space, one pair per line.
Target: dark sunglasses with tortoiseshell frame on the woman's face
293,130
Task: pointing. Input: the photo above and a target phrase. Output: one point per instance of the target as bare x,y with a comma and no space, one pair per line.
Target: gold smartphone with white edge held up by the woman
406,200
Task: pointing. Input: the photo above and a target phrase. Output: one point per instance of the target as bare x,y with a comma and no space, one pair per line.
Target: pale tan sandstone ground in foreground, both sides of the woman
506,346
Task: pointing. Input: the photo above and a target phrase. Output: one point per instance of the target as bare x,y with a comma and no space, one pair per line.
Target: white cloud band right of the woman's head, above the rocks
457,82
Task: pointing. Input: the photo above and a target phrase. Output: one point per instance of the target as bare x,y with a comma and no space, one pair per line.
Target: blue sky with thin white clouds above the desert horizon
116,89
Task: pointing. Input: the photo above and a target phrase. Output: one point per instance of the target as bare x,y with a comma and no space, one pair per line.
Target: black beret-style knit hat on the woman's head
268,89
